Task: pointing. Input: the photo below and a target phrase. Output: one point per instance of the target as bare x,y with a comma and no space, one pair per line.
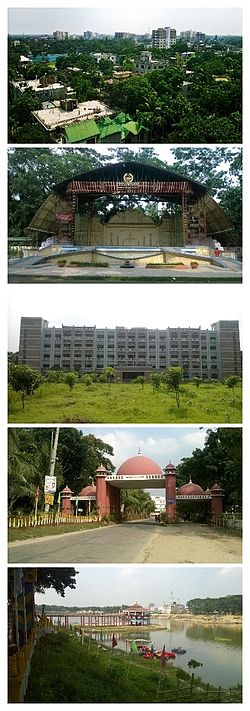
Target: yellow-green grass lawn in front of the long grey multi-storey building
127,403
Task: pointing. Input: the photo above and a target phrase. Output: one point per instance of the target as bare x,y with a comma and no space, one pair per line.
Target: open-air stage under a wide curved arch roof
68,217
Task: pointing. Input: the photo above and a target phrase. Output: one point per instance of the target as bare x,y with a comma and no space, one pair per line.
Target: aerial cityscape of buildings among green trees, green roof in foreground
124,87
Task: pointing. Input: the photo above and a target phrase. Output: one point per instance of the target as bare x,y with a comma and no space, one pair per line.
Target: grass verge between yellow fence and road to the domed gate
23,534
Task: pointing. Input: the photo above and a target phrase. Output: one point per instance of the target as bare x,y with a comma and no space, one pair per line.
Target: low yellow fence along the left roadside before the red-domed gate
47,519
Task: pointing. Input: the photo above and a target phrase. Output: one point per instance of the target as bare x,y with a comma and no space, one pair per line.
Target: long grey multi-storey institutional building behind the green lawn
208,354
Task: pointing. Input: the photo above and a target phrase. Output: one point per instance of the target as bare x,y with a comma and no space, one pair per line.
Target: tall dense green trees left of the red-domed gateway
29,452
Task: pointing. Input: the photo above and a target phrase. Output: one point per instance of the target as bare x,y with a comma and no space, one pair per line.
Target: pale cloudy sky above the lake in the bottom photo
128,584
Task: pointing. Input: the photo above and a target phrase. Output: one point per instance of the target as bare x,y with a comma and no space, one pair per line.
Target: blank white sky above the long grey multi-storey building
133,305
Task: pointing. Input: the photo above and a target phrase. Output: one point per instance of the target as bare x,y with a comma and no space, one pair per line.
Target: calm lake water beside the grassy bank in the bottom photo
217,647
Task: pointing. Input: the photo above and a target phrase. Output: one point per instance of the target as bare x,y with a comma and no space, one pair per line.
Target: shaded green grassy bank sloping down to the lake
65,671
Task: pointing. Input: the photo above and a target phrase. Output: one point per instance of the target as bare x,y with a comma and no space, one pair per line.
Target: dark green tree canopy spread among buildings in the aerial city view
193,98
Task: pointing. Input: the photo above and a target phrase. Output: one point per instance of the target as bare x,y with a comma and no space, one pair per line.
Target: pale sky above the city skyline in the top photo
108,19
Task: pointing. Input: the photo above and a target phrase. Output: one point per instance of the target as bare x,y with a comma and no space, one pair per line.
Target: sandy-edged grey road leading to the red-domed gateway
134,542
